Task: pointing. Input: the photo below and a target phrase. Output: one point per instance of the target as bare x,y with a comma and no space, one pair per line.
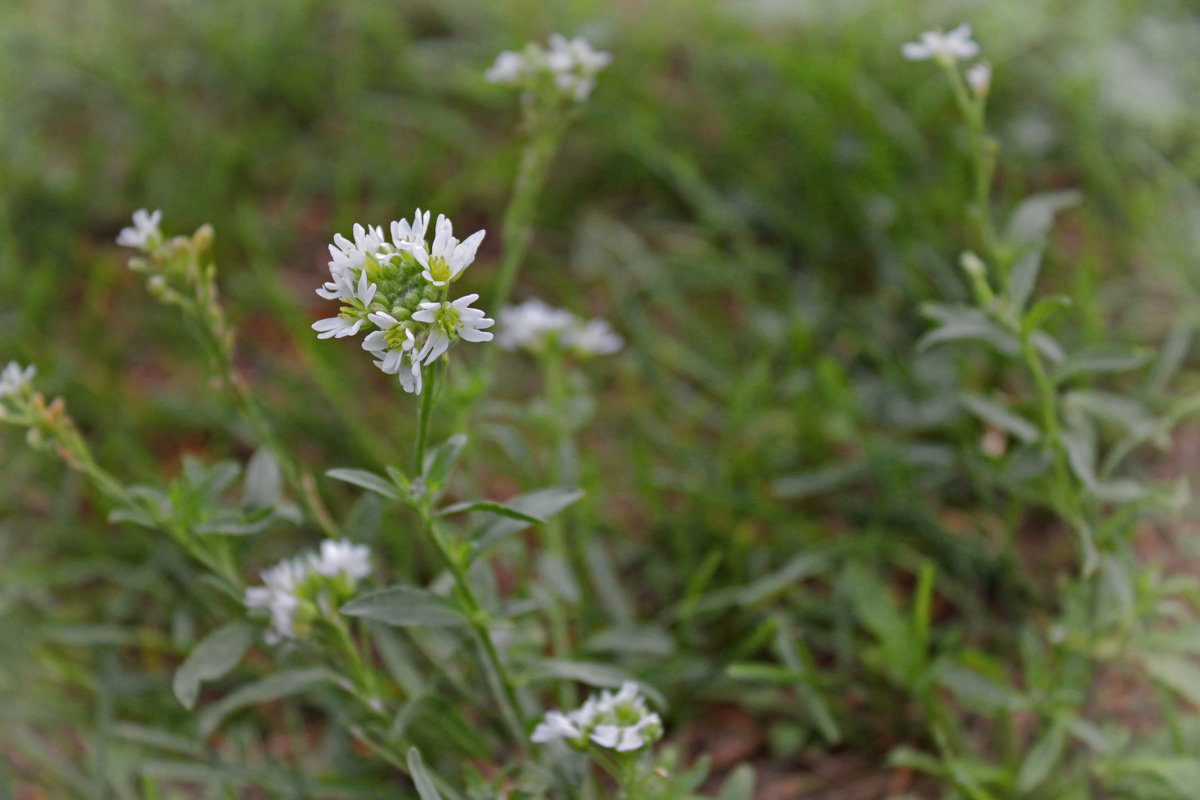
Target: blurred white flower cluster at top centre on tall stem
571,65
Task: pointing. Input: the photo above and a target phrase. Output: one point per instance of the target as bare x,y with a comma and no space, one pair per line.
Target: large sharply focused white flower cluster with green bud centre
399,287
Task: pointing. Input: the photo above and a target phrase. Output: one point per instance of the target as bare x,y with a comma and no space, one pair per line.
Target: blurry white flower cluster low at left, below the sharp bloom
298,591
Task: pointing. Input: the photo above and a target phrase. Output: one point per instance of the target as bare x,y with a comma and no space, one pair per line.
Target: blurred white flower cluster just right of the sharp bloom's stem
535,327
